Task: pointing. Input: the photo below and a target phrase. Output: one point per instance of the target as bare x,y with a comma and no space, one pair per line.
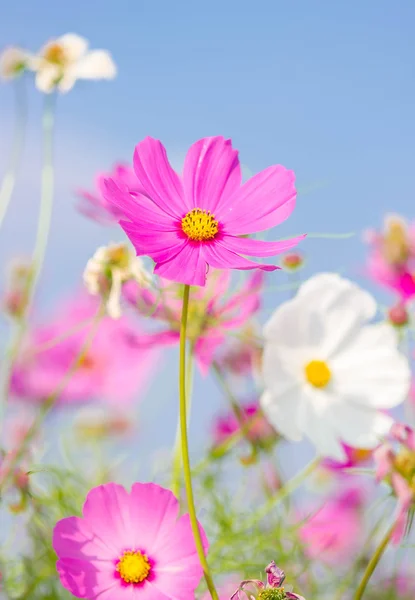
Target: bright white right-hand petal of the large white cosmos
372,372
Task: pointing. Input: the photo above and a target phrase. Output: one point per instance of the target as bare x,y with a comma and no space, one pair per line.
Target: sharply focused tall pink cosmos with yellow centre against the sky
190,223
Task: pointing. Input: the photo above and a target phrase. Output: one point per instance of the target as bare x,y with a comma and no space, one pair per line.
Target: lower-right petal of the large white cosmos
361,427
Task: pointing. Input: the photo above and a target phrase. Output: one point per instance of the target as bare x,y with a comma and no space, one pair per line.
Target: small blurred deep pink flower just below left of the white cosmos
260,432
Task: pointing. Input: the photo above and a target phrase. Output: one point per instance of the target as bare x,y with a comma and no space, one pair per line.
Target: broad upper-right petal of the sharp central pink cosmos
265,200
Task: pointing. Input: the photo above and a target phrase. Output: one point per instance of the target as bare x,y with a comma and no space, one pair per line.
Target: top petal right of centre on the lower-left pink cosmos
153,516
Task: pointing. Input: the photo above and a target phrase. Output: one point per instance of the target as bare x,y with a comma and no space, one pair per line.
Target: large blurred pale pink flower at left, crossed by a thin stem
114,368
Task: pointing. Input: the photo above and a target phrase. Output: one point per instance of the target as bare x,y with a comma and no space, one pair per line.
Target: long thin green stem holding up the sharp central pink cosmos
185,449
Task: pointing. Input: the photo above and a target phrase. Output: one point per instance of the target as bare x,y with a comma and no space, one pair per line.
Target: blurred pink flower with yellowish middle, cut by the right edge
391,260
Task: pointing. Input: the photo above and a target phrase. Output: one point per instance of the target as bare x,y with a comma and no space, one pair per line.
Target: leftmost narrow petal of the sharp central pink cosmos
139,209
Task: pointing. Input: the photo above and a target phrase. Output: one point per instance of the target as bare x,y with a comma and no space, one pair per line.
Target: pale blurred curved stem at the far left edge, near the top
9,179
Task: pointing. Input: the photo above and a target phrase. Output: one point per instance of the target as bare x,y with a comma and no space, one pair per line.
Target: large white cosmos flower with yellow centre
327,372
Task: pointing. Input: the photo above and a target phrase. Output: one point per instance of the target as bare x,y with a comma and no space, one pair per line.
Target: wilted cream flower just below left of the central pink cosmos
108,269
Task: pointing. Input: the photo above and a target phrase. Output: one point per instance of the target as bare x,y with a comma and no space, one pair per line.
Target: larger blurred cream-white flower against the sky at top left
62,61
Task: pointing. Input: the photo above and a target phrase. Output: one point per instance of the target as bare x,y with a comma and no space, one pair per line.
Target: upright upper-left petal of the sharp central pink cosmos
158,179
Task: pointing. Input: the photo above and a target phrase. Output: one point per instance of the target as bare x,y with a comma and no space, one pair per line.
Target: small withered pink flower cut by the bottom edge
256,589
